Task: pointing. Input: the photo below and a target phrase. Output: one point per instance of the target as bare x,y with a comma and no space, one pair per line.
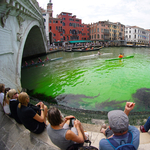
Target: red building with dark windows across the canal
71,28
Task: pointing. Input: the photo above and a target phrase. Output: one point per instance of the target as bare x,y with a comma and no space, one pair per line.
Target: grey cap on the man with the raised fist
118,121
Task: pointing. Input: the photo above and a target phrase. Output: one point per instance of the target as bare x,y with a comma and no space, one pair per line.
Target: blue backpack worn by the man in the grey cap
127,146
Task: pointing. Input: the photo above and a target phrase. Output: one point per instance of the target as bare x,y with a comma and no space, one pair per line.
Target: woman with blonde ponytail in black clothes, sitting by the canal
29,117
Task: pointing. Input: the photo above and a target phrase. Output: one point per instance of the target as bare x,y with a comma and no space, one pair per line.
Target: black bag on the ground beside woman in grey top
81,147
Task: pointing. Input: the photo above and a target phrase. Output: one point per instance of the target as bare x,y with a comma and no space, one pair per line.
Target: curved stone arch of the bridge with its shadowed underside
32,43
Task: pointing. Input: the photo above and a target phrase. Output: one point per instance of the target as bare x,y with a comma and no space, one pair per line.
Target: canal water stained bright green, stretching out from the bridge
87,81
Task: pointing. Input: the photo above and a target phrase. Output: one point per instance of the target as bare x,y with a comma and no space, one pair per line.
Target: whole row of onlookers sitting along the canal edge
65,132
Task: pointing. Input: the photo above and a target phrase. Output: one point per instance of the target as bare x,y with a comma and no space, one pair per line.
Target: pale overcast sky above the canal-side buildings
127,12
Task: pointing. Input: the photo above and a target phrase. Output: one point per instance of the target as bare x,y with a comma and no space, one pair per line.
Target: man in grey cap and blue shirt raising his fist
120,128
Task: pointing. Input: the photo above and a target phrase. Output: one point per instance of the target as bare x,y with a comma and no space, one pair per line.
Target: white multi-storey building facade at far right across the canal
136,35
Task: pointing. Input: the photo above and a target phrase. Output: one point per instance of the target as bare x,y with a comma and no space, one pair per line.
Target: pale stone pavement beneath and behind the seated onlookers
14,136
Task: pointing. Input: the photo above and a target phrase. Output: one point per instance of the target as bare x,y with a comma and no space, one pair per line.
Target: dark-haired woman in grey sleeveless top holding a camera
59,131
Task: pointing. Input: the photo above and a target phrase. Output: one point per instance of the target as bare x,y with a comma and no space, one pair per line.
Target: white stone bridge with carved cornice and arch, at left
22,35
